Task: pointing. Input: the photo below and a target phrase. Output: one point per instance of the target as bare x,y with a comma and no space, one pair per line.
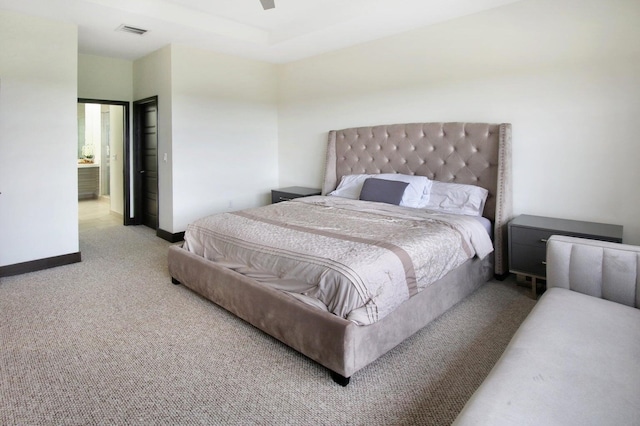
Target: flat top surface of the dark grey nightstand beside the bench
566,225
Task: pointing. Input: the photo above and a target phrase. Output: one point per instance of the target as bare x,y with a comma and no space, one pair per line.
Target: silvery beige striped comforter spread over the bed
356,259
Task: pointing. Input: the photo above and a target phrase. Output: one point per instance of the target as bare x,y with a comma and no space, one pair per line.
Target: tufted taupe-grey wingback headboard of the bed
471,153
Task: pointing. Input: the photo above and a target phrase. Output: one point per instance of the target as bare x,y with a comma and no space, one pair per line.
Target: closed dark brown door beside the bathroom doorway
147,161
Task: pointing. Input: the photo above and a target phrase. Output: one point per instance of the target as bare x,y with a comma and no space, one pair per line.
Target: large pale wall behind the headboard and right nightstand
565,74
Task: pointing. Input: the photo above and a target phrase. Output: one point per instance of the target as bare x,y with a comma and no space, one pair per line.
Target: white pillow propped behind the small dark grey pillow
415,195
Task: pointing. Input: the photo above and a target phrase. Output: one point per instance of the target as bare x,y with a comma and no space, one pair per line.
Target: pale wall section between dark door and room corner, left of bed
225,133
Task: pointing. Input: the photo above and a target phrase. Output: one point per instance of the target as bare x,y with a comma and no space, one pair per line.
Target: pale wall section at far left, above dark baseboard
38,139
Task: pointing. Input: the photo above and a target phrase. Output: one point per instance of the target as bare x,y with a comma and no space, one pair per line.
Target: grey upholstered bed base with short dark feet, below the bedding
341,346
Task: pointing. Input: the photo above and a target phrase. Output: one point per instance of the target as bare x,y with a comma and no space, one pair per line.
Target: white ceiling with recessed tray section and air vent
295,29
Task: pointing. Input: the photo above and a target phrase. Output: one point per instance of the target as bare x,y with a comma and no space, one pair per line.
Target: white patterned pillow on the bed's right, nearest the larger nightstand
457,198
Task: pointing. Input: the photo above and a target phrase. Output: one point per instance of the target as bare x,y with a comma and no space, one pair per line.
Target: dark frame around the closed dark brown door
138,112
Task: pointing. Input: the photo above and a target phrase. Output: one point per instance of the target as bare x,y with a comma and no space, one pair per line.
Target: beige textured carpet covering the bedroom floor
111,341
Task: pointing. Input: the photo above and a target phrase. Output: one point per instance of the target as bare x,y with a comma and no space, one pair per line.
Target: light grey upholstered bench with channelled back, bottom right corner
575,360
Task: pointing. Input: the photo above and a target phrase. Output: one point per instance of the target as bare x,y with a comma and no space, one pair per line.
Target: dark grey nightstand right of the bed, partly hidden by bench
528,237
